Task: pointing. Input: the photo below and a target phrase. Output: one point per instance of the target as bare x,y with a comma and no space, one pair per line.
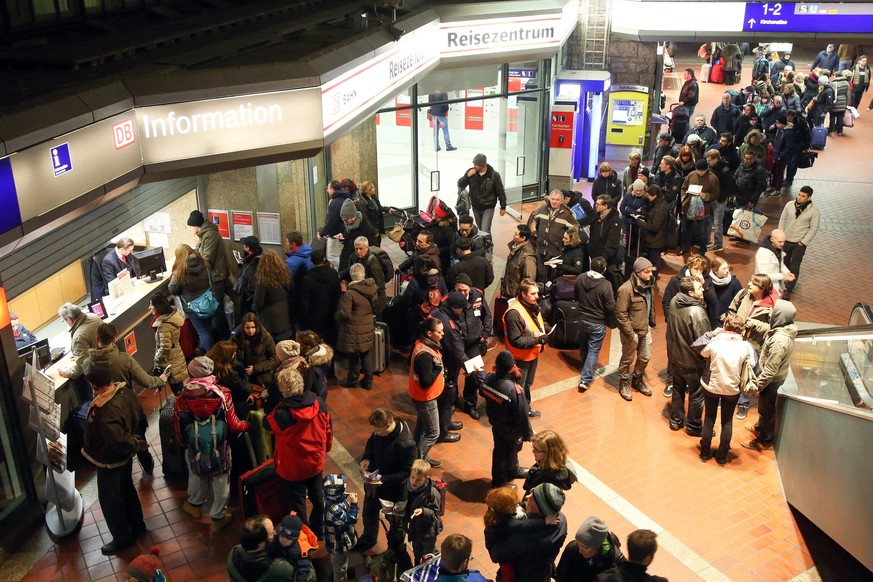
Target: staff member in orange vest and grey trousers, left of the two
426,383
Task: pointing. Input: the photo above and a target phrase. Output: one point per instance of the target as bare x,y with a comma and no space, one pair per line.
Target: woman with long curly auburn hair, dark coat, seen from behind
273,288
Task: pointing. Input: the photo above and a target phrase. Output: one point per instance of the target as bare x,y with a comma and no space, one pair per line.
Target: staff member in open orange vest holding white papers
525,334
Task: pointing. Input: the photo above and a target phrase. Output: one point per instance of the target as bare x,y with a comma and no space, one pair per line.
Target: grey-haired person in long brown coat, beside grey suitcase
357,328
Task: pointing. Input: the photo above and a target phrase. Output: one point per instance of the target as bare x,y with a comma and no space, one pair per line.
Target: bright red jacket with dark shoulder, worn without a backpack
303,436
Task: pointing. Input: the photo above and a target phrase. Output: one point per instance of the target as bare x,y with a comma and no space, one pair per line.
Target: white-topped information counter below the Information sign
130,315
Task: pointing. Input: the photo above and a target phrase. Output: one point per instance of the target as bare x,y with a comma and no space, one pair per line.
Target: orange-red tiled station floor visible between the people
713,523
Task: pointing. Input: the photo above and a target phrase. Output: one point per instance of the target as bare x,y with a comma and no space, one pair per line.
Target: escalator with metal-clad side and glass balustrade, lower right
824,442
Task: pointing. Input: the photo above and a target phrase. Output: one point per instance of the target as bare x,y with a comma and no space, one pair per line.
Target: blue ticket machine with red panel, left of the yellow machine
576,116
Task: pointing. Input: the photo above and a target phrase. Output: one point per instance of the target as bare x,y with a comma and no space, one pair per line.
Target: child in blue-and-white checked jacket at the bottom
340,516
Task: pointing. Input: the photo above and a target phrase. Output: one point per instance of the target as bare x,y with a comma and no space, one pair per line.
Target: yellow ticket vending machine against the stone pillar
627,120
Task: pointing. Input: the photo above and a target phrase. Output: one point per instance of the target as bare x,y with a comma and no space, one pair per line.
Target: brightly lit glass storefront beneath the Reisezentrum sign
495,110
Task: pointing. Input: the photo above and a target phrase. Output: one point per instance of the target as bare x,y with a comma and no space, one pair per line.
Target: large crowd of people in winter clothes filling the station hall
258,362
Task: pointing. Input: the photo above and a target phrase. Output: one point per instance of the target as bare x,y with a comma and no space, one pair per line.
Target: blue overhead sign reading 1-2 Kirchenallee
794,17
